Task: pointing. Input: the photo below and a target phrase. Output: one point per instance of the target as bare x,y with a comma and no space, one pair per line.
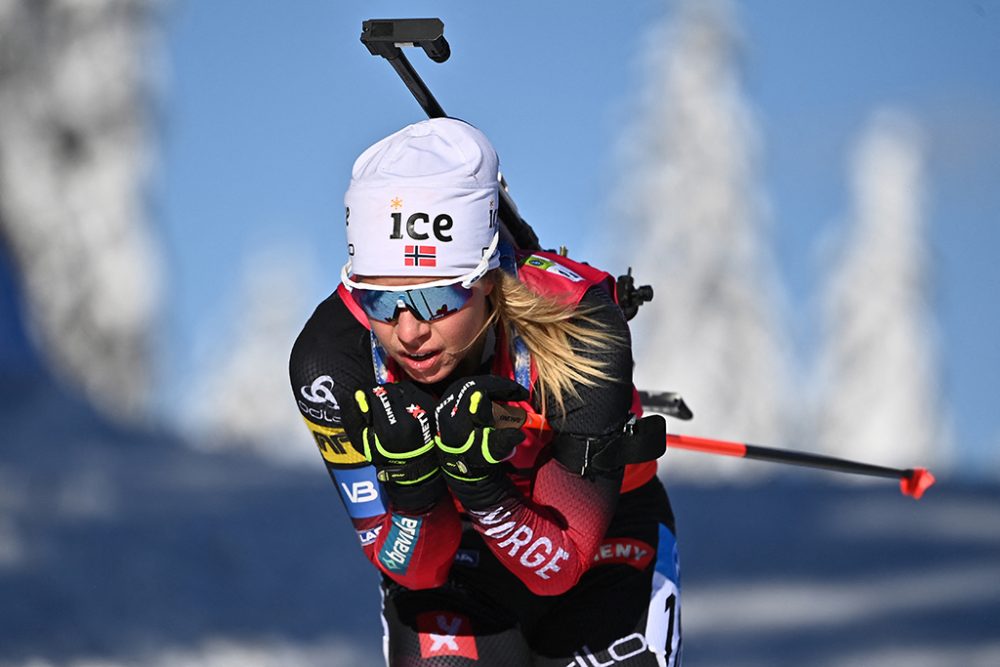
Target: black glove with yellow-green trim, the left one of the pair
397,437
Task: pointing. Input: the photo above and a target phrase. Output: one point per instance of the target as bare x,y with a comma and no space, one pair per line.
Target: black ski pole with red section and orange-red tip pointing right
913,482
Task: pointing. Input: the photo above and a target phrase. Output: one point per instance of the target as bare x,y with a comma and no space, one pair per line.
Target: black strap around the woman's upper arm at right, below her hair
639,441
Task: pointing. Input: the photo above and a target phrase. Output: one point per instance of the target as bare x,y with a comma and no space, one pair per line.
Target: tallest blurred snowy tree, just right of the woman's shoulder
692,207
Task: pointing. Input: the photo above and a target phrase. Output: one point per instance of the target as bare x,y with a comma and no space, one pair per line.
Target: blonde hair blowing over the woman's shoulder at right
554,334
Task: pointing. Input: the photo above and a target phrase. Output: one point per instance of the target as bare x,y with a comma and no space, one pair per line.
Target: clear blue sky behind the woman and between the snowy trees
265,106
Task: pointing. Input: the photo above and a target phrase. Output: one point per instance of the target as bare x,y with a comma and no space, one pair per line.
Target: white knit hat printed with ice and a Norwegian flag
423,202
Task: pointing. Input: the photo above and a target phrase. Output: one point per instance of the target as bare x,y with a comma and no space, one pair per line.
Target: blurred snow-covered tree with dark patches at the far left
75,90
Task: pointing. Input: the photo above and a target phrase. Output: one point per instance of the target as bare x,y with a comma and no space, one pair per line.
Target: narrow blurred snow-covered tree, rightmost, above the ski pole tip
879,397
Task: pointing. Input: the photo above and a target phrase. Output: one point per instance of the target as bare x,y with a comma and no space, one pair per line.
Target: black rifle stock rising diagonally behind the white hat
384,37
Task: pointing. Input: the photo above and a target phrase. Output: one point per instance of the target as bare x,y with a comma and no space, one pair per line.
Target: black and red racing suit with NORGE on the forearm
597,542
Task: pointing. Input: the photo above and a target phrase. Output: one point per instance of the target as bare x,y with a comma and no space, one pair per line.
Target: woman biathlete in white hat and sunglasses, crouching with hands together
475,409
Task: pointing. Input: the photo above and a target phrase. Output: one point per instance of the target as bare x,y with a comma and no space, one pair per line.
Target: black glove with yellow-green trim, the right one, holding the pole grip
470,447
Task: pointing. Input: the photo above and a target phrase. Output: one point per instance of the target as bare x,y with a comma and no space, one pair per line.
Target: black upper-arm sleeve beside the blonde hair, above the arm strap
603,408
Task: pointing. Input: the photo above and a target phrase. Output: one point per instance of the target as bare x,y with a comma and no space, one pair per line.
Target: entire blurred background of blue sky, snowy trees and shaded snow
810,189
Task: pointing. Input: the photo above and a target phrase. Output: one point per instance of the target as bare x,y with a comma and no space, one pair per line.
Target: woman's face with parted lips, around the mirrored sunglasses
430,351
